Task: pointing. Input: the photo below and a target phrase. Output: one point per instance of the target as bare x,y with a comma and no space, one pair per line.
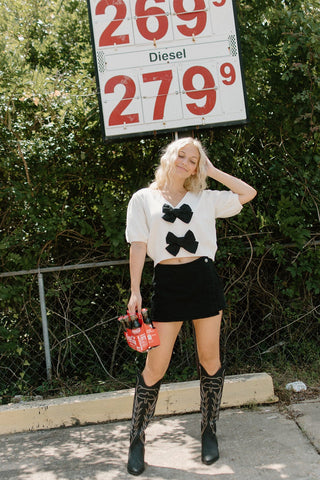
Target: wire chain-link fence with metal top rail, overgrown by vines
86,352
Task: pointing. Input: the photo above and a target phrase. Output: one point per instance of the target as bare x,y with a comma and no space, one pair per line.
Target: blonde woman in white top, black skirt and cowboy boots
173,222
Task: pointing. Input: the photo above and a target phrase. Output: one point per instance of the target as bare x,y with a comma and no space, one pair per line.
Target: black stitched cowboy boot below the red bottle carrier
144,405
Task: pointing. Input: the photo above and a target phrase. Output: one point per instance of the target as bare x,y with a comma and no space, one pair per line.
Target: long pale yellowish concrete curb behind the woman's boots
110,406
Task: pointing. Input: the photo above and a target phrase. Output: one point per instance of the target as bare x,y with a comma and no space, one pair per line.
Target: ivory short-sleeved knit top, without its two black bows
145,222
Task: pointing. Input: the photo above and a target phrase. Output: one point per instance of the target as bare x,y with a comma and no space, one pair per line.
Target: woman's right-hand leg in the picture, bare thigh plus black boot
211,383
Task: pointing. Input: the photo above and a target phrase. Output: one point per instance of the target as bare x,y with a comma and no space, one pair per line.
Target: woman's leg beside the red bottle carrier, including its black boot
147,390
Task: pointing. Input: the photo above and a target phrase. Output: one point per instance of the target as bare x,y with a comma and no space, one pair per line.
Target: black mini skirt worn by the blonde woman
187,291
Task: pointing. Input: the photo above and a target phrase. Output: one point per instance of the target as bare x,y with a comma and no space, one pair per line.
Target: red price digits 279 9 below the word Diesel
167,93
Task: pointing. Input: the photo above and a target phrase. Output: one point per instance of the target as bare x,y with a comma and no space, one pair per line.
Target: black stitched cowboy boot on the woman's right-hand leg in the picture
210,392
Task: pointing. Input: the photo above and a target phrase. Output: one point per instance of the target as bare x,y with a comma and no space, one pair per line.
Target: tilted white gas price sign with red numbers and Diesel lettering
166,65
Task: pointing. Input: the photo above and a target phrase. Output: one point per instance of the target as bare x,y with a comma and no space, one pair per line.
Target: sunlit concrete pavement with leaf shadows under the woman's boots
262,443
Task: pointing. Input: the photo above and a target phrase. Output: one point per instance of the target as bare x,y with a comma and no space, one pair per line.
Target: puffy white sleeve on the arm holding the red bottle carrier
137,229
